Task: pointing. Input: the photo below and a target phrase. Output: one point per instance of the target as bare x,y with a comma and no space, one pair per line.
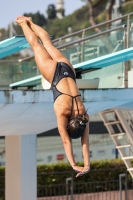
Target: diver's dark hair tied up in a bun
76,126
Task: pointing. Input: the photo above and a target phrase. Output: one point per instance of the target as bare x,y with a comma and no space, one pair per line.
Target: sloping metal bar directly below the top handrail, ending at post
90,37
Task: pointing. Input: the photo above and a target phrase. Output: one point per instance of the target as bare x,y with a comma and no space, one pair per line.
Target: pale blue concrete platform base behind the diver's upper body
32,111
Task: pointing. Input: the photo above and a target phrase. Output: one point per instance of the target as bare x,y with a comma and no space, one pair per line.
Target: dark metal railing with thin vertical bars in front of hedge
96,190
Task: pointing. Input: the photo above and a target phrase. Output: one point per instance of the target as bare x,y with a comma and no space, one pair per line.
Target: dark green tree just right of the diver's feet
38,18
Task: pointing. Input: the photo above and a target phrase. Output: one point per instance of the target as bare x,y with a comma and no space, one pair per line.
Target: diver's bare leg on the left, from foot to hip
43,60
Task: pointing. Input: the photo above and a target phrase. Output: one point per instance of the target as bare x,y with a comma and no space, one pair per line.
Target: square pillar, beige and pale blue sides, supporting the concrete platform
21,175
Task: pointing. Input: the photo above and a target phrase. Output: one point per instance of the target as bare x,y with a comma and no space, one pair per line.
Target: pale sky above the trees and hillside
10,9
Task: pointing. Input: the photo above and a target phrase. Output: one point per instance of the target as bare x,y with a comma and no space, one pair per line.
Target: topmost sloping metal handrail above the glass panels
92,27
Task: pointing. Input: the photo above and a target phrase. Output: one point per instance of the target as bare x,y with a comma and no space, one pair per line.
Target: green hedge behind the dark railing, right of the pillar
51,176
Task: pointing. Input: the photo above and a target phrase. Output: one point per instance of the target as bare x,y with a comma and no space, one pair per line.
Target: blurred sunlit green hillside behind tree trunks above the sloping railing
80,18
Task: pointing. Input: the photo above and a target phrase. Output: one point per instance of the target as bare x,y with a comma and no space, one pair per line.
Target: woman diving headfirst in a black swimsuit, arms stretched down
72,119
